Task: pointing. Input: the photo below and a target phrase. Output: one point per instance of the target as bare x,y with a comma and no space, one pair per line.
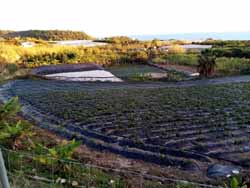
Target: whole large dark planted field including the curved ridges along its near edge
186,127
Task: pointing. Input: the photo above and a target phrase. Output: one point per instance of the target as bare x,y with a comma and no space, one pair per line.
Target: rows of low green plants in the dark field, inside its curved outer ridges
210,120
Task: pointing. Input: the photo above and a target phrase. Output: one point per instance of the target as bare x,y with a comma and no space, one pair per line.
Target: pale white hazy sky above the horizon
126,17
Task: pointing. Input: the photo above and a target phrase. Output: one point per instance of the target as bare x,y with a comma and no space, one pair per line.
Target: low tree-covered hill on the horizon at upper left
51,35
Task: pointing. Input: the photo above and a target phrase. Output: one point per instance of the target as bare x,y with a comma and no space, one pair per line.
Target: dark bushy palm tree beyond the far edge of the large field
206,65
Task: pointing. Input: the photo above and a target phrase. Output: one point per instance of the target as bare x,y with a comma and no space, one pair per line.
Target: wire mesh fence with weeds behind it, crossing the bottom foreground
31,170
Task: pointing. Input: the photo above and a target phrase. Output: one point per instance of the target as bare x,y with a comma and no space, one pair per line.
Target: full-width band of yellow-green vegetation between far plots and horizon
123,50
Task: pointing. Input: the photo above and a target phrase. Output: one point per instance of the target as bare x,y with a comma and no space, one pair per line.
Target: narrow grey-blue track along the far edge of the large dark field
57,85
